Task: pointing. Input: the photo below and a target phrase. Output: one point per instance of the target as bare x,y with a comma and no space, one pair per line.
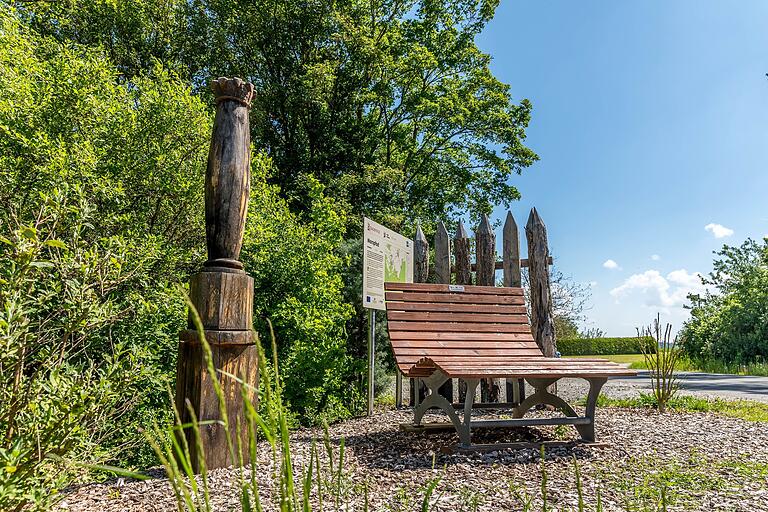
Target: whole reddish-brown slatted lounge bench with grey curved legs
439,332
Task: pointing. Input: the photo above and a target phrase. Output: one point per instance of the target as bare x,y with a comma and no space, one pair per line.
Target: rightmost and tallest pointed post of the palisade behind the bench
542,321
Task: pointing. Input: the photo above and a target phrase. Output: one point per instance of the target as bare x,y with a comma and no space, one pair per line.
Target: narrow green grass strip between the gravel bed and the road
743,409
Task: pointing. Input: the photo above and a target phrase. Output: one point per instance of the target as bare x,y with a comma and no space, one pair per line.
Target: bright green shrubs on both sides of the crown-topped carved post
101,222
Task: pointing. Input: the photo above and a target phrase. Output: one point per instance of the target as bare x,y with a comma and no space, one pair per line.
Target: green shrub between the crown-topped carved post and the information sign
296,269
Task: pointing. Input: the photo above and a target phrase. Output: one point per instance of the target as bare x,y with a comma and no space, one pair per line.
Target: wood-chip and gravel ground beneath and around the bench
709,463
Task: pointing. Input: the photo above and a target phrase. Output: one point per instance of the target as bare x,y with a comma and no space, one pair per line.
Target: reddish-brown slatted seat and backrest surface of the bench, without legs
481,332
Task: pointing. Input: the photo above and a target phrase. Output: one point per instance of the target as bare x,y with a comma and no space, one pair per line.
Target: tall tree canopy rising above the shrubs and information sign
387,103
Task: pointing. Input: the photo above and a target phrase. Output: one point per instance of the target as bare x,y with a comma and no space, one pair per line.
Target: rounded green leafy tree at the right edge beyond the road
729,322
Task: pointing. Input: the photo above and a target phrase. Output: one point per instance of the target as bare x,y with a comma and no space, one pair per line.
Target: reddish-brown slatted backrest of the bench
457,323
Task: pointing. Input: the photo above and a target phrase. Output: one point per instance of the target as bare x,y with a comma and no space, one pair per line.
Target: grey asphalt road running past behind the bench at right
709,384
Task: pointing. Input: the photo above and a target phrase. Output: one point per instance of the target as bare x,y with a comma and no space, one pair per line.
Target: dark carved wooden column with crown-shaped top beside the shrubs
222,292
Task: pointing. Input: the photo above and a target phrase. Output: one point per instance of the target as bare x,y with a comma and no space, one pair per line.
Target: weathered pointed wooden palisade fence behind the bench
461,272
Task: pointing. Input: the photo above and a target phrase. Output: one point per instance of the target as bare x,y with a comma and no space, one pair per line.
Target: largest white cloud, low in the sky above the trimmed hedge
660,291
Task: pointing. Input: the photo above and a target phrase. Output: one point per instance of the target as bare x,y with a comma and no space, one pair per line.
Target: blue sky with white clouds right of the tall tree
651,122
